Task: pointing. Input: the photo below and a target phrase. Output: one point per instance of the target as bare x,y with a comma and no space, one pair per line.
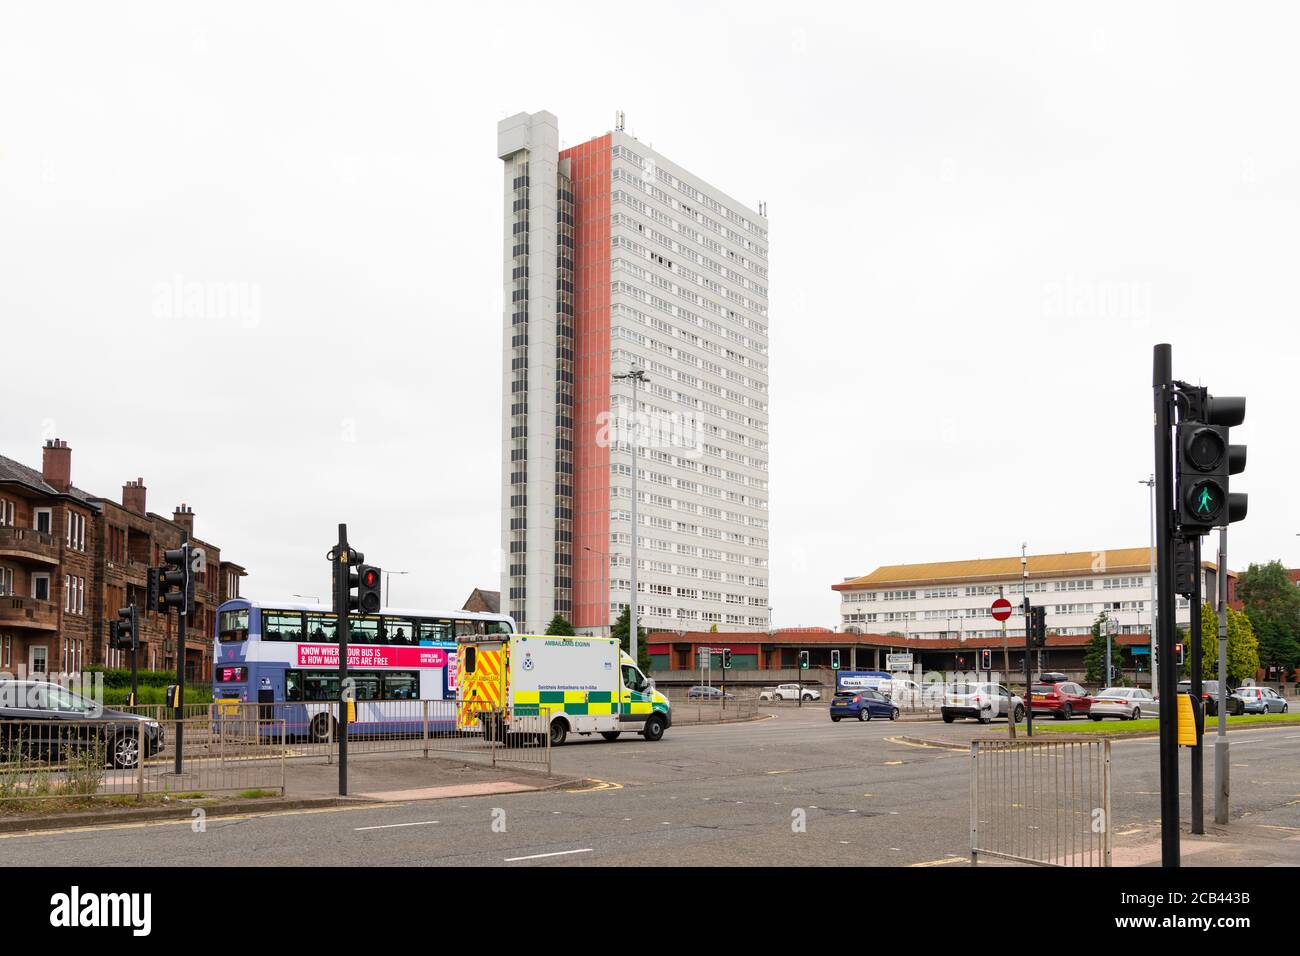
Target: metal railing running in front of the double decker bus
428,728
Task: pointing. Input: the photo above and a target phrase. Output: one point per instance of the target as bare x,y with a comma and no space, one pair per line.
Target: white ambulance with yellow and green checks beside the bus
523,685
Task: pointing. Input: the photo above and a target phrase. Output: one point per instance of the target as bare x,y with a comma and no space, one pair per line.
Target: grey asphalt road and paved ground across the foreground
791,789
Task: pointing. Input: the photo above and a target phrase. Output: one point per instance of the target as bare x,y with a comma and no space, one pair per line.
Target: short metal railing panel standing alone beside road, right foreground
1042,802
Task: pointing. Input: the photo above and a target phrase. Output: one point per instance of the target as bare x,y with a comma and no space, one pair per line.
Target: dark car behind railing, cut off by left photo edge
46,723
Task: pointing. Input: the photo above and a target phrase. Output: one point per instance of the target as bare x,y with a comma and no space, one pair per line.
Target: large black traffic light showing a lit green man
1204,462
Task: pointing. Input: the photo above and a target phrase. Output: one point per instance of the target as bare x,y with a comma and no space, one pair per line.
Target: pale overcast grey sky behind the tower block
982,219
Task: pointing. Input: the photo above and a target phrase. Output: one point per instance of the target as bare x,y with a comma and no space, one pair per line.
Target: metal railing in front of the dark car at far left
115,758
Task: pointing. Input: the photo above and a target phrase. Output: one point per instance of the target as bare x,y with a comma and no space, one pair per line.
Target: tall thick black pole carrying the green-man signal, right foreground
1163,388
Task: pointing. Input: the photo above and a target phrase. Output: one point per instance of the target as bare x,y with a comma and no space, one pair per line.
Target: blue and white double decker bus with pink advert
285,657
